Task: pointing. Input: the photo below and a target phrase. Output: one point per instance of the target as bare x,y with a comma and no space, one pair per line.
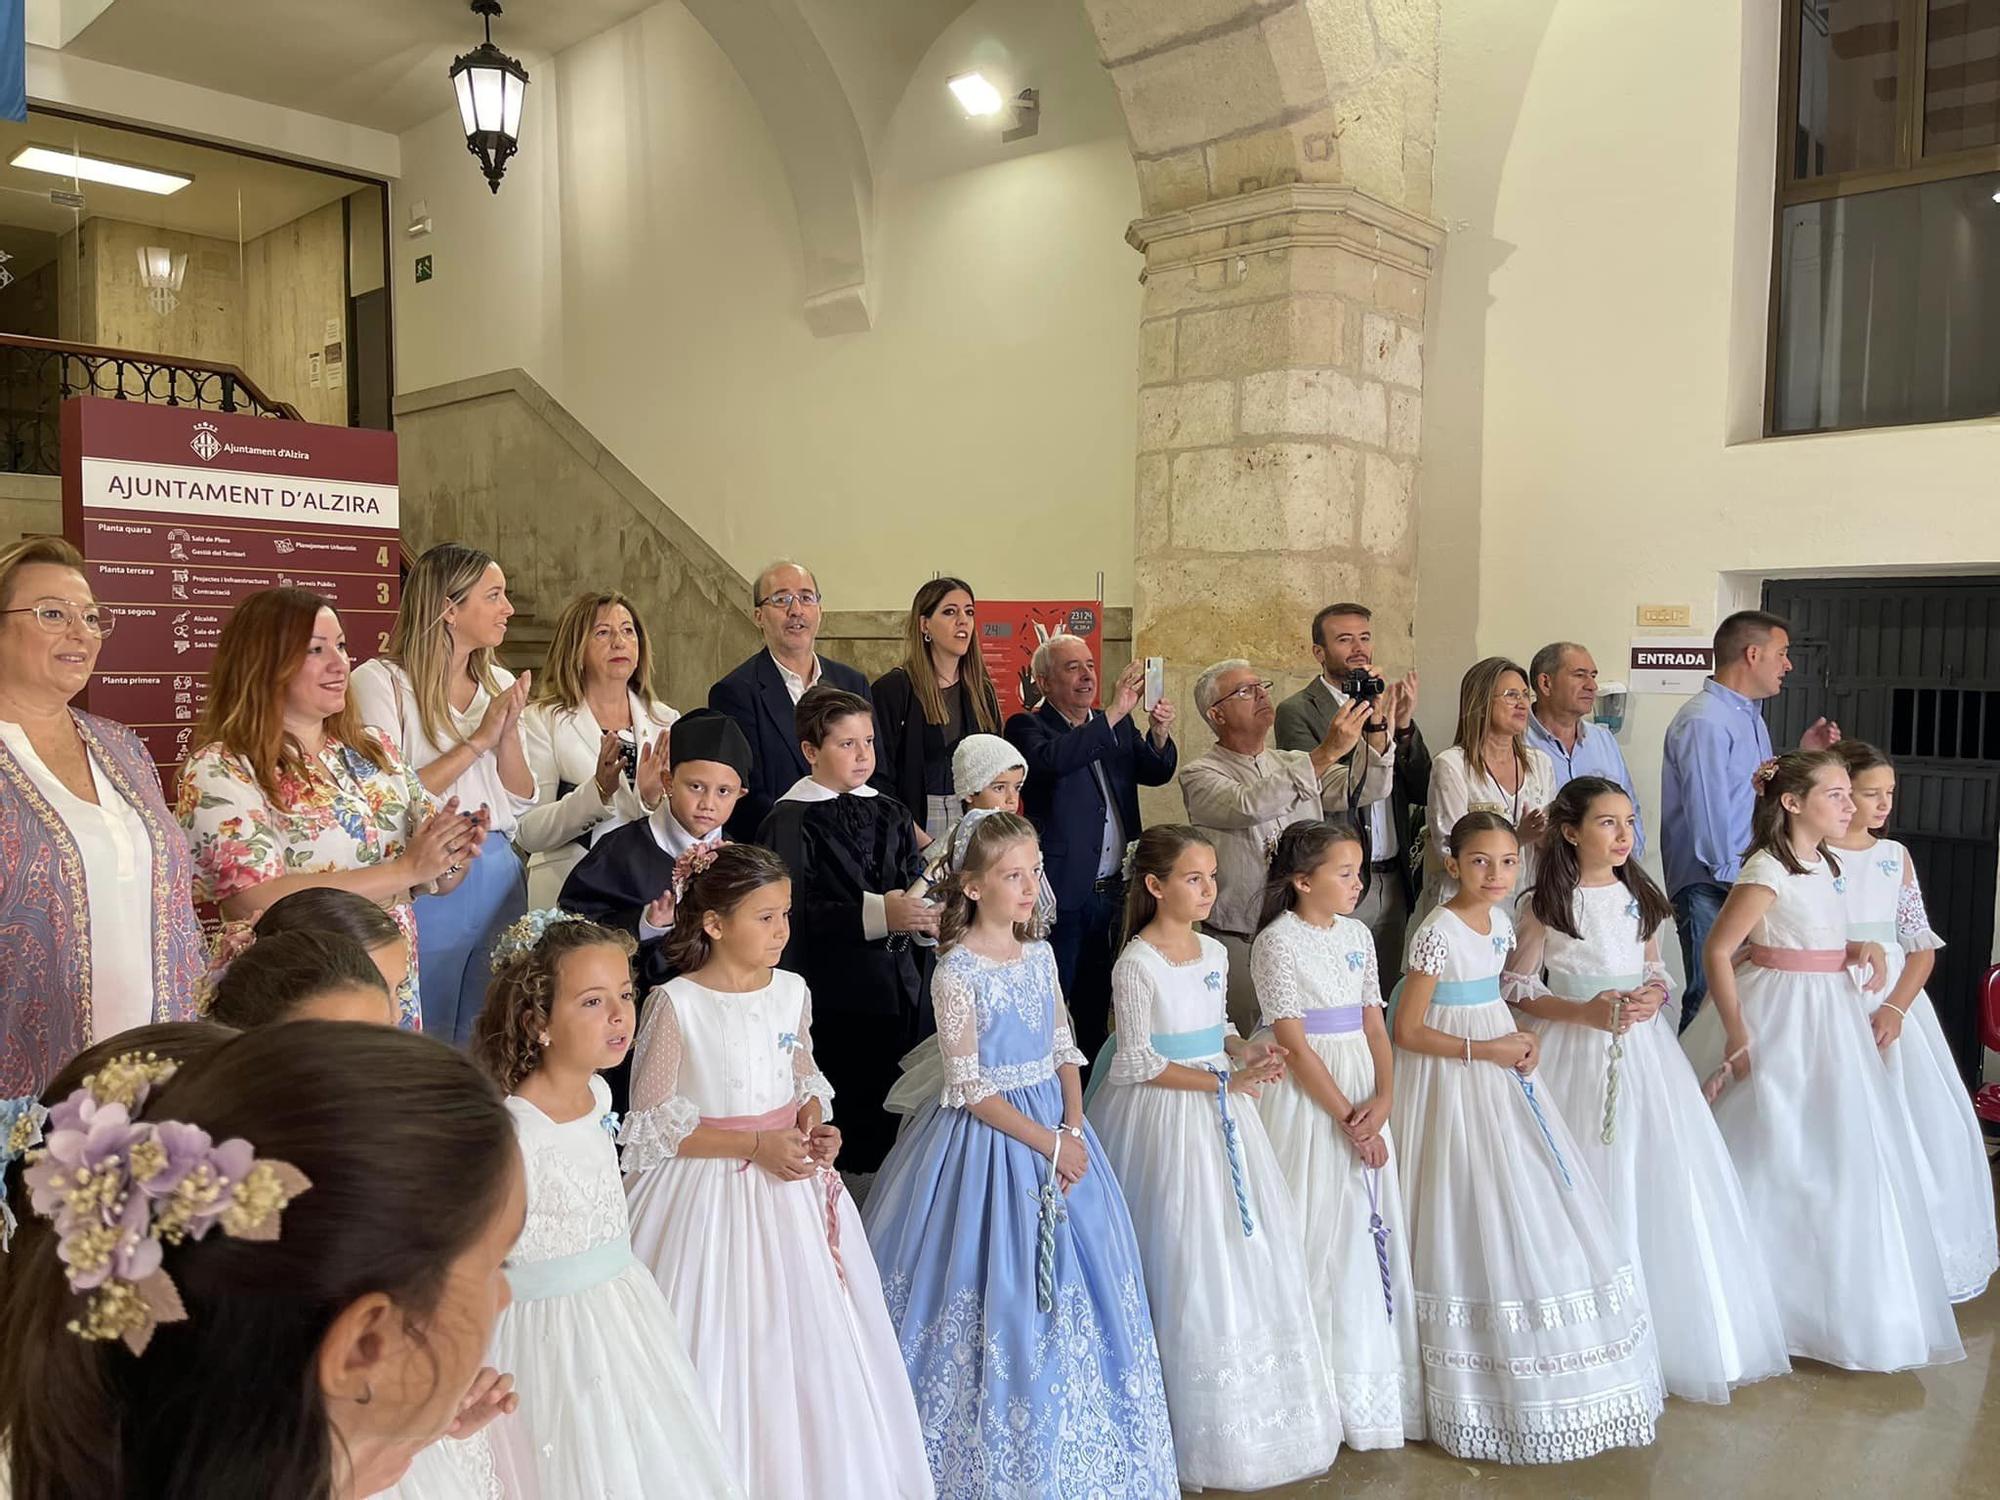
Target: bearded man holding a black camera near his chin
1343,643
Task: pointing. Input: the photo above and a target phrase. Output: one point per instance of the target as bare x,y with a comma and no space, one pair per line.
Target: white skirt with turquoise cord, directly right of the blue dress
1247,1385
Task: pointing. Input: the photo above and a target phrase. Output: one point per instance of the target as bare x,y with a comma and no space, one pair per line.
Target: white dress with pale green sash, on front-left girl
609,1403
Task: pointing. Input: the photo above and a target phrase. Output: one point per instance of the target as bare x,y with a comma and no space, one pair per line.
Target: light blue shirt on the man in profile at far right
1713,749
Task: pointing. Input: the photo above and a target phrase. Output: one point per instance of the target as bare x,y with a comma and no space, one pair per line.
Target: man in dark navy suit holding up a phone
1085,769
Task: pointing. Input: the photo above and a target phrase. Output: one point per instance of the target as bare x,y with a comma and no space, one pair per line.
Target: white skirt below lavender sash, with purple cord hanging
1369,1341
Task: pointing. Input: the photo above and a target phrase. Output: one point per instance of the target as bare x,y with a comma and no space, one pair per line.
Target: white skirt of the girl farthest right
1951,1151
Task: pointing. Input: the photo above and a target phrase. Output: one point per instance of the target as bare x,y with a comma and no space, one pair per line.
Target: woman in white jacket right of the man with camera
1489,769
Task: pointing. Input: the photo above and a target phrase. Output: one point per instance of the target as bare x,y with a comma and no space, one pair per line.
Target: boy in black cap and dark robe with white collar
633,875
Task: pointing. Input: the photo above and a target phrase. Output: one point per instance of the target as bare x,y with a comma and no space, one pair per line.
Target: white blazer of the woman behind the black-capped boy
563,747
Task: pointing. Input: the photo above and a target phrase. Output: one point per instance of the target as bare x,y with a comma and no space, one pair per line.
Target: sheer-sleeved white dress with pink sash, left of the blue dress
771,1281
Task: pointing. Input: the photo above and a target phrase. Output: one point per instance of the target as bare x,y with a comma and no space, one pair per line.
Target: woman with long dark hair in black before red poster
931,701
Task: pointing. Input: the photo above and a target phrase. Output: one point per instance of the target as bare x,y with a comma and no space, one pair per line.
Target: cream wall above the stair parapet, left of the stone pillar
985,423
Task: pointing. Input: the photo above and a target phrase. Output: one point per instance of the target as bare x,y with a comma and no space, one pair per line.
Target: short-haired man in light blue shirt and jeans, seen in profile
1713,749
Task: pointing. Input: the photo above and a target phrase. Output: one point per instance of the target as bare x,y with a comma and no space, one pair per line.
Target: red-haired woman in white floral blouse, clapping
289,791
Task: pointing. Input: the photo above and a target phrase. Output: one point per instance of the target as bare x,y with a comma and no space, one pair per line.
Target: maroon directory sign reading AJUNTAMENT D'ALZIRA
181,515
